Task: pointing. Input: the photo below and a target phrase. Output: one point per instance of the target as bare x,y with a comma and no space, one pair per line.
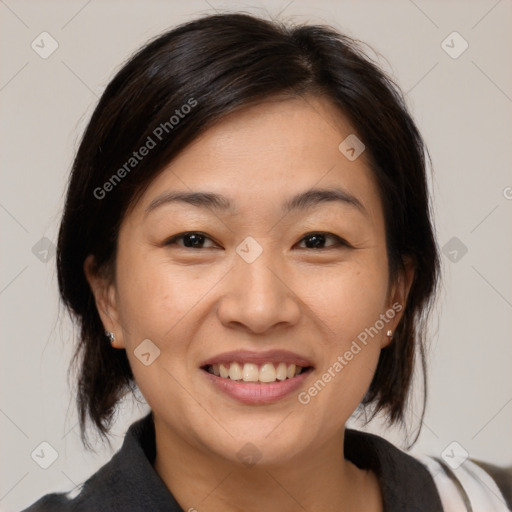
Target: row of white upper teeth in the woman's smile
250,372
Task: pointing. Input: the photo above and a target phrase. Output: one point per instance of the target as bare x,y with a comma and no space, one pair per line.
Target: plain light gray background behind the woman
463,107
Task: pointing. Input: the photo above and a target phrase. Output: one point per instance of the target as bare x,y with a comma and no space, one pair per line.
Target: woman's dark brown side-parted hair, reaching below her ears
219,64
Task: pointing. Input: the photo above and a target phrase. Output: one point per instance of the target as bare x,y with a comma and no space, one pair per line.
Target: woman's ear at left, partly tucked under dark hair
105,296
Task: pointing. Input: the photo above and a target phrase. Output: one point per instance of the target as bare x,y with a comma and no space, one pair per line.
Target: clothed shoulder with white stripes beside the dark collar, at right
419,482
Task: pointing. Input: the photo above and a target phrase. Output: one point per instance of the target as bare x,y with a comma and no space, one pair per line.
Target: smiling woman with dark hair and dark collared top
248,221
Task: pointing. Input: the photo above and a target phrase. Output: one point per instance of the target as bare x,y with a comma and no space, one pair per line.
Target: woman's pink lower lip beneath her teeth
254,394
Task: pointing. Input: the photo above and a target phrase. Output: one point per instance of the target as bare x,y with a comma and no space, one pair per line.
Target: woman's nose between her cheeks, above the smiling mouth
257,297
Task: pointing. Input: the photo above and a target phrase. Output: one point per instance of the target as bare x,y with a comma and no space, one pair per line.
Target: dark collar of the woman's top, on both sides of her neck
129,483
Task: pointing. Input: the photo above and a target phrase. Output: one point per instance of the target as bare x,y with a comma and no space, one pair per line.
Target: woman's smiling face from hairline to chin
284,263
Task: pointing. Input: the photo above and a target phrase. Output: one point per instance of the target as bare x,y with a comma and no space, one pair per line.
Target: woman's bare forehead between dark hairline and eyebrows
266,153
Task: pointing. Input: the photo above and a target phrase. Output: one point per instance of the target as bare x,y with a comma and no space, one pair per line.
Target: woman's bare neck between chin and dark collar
320,480
